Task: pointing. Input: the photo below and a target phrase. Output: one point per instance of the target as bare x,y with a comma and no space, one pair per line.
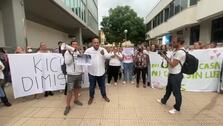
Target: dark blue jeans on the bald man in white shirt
101,84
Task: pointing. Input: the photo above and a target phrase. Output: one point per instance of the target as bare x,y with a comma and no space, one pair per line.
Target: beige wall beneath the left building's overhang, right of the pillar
37,33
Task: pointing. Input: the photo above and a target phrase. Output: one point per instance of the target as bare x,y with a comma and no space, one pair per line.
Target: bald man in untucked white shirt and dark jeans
96,71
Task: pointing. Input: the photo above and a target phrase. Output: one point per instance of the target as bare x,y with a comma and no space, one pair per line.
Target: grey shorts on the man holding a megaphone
73,82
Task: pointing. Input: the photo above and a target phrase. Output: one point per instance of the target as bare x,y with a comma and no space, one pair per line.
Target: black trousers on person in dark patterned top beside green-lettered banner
138,73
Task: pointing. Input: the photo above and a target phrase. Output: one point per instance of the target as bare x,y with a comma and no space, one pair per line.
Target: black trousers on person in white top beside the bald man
113,71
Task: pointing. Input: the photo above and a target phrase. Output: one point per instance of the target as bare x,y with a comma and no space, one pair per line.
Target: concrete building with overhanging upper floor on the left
29,22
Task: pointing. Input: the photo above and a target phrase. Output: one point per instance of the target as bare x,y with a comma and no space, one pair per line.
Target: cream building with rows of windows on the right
194,20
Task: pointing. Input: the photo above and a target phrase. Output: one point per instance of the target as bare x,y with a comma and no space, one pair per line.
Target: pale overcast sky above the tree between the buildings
141,7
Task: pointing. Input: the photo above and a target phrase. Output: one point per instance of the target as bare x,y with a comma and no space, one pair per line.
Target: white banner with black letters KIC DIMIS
36,73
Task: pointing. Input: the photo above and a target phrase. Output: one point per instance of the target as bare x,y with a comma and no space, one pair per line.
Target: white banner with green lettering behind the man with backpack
207,78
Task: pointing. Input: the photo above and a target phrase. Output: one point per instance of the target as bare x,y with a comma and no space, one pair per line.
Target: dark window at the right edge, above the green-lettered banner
217,30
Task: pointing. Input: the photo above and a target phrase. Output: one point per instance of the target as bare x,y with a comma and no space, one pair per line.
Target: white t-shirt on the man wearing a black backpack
178,55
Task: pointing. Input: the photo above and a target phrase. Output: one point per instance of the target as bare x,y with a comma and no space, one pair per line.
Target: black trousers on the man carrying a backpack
174,85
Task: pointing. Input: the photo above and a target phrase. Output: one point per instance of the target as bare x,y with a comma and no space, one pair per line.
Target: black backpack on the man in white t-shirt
190,65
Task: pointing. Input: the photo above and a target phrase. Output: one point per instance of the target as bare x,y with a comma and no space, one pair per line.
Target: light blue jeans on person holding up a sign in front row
128,71
